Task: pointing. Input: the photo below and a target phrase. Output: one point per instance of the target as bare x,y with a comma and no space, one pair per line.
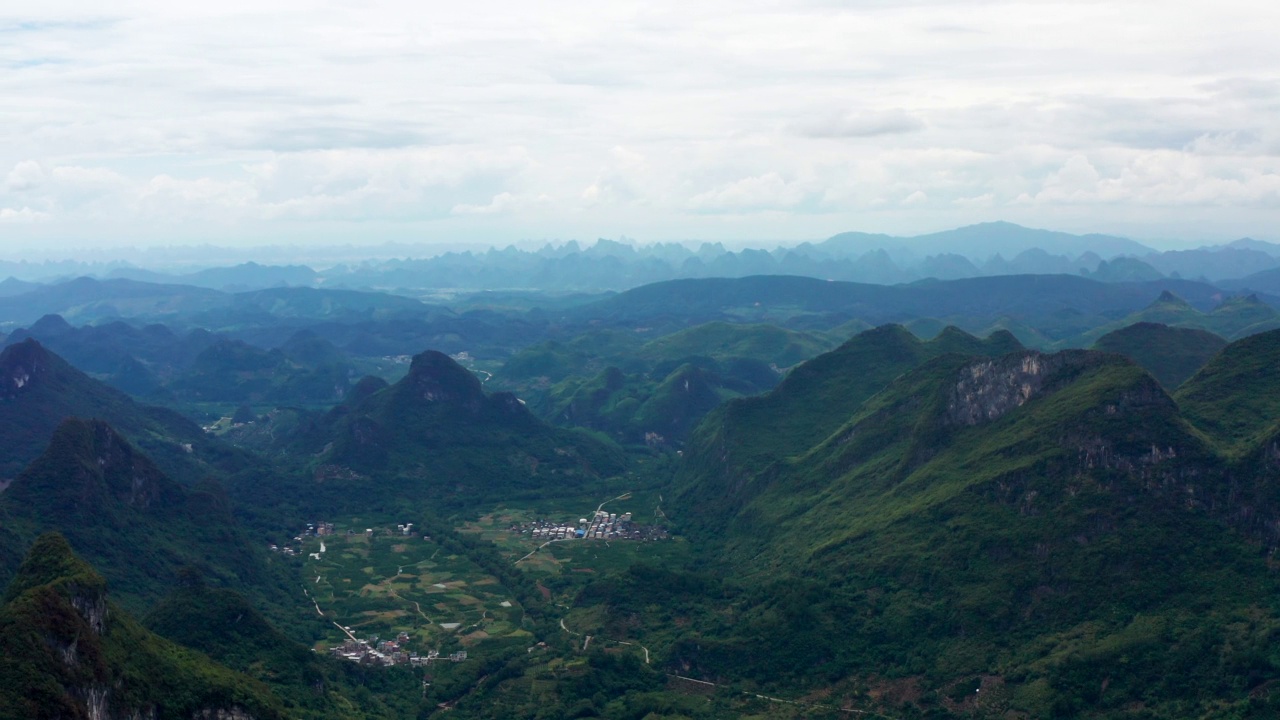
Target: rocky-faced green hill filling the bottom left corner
68,651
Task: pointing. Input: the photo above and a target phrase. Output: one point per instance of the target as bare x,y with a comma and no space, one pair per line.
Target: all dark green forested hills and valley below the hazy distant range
884,521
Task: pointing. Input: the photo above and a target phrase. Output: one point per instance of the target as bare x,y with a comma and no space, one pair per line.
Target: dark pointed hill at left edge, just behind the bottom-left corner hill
129,518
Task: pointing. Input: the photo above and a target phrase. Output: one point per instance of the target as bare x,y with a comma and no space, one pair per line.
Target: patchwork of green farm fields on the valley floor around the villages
388,584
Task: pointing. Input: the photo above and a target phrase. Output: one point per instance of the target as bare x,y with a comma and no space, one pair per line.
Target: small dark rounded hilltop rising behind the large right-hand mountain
1171,356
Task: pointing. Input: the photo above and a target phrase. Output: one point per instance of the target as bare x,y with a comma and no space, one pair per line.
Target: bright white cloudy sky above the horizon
243,122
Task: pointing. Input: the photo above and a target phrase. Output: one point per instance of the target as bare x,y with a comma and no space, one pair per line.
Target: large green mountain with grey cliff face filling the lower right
1045,528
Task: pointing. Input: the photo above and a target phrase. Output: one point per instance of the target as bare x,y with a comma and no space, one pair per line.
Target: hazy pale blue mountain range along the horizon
984,250
